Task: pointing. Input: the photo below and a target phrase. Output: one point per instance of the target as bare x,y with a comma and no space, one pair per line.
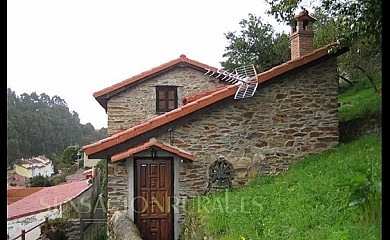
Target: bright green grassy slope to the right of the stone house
332,195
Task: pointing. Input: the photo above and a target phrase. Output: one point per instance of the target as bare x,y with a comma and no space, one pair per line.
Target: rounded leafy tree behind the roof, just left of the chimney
258,44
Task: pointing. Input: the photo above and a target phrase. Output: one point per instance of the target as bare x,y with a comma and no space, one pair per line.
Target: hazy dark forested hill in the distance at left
40,125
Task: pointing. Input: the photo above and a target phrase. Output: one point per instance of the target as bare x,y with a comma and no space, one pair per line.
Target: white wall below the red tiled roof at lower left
15,227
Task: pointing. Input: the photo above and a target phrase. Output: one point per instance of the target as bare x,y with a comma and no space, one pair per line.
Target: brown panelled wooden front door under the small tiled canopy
153,189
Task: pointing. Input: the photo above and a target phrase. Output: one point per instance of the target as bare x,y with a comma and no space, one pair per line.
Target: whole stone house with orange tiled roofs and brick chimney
159,149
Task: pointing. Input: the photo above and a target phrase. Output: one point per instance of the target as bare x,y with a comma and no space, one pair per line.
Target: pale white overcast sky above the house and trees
73,48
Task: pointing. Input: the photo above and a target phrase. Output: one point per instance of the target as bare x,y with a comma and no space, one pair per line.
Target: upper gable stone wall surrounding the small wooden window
138,104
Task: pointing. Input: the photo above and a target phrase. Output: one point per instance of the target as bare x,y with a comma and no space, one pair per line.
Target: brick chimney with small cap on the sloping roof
302,33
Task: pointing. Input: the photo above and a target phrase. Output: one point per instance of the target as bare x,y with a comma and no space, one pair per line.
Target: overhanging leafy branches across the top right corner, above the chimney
354,19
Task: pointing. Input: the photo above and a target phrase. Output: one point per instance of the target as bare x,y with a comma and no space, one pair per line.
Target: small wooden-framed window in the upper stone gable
166,98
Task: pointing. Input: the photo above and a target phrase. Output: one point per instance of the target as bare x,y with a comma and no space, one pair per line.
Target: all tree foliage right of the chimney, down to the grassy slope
355,23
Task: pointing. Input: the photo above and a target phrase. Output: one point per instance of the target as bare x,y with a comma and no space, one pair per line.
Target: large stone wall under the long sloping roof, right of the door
264,133
